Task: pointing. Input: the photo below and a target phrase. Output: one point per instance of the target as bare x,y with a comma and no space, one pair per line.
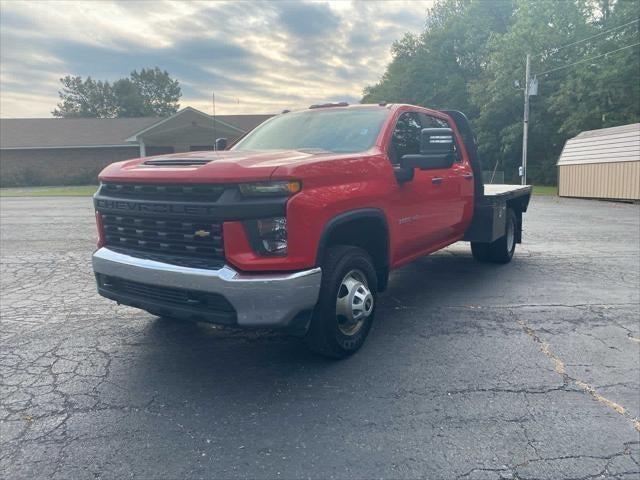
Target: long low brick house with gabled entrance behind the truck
67,151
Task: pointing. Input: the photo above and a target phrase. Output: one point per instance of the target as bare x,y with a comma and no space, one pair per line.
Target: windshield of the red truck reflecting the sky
335,130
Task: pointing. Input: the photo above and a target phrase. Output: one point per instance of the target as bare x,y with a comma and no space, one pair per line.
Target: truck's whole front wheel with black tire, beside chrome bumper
346,306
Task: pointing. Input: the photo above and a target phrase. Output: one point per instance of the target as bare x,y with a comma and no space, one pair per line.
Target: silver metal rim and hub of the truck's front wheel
354,303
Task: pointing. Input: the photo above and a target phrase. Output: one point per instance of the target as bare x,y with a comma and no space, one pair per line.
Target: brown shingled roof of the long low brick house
24,133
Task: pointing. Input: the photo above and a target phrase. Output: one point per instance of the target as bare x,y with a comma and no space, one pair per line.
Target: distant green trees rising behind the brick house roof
150,92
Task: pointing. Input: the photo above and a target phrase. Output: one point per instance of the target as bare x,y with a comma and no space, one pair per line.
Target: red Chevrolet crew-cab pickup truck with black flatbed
297,225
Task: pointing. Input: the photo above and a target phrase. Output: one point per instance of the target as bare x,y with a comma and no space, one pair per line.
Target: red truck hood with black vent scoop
212,167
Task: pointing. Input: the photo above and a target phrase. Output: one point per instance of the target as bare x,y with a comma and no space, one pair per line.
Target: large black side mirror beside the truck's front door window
436,150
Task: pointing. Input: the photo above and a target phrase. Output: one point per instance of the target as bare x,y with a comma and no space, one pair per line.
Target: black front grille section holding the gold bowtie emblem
174,240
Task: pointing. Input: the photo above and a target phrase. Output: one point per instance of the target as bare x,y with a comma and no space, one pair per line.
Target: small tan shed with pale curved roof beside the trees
601,163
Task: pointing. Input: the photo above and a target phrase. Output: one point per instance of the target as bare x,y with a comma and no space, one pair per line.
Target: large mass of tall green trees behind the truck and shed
472,51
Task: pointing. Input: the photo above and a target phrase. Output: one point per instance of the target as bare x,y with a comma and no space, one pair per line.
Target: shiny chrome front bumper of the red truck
260,300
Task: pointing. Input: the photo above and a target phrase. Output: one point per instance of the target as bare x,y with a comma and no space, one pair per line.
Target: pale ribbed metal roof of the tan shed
607,145
